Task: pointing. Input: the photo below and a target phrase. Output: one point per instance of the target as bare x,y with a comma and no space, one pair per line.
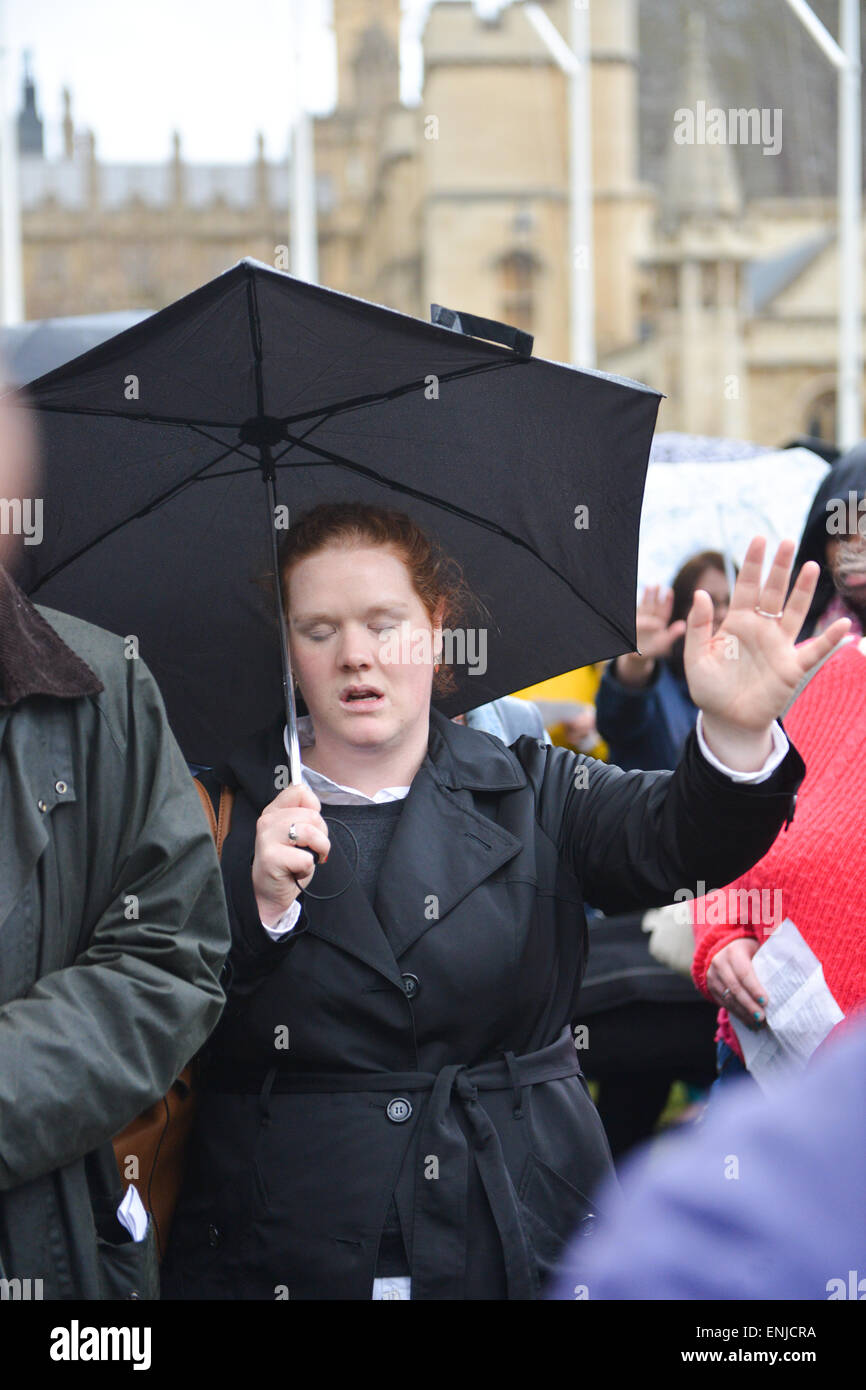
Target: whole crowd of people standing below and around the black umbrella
380,976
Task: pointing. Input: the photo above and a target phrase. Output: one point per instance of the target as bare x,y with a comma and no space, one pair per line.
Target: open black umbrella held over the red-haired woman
155,447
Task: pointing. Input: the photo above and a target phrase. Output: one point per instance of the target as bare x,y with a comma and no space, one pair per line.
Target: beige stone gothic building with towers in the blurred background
707,287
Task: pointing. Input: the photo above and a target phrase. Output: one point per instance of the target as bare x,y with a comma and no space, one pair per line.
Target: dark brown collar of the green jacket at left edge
34,658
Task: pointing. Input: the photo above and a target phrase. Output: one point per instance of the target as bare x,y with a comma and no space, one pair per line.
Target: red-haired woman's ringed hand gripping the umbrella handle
283,865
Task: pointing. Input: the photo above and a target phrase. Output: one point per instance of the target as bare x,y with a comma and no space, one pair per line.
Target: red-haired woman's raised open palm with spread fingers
744,675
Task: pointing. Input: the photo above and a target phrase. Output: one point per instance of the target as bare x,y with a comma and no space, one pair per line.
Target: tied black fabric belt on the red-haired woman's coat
440,1231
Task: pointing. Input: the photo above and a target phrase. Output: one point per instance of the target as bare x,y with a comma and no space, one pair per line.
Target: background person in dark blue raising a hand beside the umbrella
644,707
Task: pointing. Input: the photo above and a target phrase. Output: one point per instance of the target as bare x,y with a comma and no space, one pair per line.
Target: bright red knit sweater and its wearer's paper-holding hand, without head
815,872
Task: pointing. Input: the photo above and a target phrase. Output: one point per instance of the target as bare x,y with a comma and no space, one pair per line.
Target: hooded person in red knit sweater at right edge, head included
803,868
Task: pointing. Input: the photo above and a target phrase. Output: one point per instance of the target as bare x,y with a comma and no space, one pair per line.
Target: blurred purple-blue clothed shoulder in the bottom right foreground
765,1200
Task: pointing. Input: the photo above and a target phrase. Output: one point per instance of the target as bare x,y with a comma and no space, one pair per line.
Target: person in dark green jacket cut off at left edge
113,931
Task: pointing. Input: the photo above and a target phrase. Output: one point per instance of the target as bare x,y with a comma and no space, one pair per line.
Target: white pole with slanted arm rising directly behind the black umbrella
575,60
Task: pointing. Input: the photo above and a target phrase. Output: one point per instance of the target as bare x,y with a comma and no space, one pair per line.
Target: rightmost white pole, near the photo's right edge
850,393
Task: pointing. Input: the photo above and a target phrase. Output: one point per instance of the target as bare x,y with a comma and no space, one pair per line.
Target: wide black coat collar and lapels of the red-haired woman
443,849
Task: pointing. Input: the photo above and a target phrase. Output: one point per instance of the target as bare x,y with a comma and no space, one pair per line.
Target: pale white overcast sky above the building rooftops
215,70
